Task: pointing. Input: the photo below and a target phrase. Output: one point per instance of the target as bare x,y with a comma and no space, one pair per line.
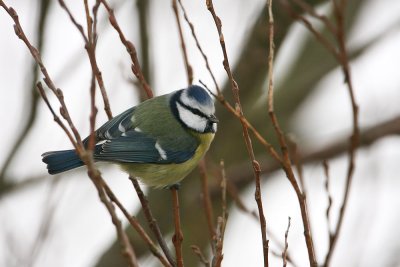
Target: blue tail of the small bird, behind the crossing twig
61,161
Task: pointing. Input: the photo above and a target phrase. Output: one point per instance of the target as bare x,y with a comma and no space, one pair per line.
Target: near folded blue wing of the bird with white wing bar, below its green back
137,147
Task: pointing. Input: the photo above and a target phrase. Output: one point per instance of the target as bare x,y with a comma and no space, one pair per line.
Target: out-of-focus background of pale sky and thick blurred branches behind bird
59,221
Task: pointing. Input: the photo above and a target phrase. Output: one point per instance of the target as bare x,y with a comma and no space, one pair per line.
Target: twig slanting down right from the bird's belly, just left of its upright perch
152,221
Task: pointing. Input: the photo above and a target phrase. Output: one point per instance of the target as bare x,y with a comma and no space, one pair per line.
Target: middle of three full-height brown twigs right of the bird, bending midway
287,166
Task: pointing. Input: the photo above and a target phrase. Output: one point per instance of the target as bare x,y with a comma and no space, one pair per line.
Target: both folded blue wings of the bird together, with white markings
124,144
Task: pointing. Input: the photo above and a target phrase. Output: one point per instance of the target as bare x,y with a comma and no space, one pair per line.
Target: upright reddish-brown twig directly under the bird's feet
177,239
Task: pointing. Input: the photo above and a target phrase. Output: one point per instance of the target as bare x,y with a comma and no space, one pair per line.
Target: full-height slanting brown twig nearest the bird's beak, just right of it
247,139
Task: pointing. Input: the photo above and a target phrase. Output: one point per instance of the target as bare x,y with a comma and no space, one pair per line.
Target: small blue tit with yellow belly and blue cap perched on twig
159,141
